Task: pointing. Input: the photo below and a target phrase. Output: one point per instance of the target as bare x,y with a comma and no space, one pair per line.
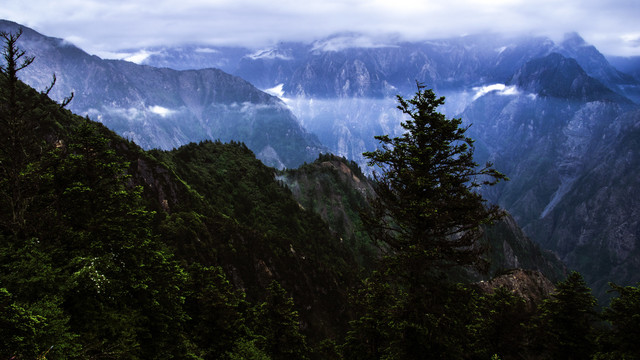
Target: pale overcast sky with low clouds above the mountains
104,26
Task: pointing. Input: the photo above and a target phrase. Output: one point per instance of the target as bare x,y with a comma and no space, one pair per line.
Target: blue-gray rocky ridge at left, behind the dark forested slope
165,108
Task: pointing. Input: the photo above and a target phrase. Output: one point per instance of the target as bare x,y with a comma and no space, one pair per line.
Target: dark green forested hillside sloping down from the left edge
106,251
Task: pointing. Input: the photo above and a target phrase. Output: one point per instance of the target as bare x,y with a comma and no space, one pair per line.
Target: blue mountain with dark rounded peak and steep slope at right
566,133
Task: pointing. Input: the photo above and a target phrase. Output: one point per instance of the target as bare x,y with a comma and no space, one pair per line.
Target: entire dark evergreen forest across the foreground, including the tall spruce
108,251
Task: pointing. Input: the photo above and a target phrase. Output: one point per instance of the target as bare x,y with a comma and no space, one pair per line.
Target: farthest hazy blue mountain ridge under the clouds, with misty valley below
343,88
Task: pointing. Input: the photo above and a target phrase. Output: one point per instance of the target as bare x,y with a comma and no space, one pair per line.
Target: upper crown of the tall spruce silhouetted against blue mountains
426,189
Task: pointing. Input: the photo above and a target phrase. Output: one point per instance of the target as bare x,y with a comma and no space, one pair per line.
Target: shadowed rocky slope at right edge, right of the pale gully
594,226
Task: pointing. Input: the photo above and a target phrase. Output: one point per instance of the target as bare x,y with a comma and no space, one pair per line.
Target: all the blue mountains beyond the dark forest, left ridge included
558,118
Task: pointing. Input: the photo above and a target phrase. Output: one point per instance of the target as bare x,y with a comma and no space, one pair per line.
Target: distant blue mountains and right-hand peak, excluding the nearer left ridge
557,118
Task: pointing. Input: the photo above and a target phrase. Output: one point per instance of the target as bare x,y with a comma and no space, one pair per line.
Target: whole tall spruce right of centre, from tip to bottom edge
426,215
